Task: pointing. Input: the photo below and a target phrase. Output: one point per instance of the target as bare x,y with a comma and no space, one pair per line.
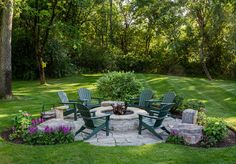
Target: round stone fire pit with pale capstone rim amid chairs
121,122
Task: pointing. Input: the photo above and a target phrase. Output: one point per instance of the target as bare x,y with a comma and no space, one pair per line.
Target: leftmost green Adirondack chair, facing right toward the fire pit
70,104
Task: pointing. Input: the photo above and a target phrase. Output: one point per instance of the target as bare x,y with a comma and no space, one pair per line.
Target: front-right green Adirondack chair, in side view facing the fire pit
154,121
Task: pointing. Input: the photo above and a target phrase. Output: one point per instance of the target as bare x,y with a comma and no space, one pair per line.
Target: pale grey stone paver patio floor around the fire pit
128,138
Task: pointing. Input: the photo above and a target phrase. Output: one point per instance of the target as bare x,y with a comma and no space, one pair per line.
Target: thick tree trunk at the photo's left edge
5,49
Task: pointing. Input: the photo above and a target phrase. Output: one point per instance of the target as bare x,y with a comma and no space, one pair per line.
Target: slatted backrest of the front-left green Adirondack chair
86,115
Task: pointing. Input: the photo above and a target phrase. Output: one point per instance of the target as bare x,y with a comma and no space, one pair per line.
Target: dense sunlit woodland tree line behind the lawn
185,37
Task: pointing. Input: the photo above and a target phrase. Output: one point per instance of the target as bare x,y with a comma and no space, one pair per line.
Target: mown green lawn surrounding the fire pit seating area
219,96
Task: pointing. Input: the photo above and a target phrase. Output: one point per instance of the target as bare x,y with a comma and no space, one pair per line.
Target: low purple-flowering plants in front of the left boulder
49,136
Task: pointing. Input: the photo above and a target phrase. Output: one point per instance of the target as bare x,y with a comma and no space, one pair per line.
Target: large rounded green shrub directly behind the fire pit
119,85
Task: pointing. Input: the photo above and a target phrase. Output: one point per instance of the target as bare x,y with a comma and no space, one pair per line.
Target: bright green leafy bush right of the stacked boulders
215,130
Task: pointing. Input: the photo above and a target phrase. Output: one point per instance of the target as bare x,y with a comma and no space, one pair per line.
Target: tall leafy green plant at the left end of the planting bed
21,123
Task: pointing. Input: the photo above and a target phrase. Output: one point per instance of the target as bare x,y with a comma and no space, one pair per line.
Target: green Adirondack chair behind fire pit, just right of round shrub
140,102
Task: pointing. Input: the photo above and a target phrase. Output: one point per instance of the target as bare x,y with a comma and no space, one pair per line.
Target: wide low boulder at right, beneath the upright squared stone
191,133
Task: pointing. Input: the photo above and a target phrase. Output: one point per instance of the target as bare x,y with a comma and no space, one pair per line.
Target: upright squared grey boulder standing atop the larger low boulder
189,116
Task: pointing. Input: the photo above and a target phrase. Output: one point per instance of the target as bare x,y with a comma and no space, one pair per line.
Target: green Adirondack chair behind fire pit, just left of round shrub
86,97
